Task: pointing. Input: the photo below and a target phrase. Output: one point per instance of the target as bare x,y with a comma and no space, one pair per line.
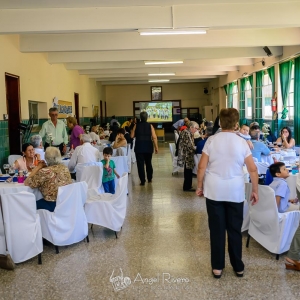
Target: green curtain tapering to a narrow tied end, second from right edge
285,72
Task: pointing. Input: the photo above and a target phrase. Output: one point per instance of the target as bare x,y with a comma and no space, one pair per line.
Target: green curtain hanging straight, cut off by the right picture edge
297,100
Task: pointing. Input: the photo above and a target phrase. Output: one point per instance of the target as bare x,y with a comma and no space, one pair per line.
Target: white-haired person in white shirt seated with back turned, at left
84,154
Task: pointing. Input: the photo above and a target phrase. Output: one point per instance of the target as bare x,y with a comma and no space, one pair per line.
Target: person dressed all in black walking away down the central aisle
145,136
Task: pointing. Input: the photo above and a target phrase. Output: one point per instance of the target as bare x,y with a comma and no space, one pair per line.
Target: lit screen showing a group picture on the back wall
158,112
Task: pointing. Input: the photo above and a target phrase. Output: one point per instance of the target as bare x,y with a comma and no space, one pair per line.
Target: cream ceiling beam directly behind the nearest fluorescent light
133,41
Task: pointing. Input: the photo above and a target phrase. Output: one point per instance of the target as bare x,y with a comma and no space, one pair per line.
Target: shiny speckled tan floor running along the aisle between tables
164,241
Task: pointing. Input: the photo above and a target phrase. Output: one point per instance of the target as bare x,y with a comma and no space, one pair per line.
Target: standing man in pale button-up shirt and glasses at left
56,130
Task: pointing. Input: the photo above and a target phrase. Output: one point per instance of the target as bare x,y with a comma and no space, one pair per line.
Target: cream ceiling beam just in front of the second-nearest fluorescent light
160,54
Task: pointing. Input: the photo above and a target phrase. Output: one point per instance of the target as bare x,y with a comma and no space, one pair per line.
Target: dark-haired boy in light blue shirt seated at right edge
281,189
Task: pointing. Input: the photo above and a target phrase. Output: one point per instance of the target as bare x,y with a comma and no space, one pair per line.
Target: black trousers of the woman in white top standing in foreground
225,216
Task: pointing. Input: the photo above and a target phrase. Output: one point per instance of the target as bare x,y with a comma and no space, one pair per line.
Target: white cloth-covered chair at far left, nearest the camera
22,226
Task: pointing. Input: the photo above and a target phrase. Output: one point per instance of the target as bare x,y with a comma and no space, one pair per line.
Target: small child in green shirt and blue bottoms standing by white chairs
109,172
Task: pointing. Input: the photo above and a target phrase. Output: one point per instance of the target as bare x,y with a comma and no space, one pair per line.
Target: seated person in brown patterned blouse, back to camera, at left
49,178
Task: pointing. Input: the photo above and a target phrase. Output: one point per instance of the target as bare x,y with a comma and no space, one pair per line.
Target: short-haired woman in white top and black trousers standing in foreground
222,160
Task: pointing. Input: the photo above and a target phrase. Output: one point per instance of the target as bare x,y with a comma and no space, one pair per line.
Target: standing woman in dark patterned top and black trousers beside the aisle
186,151
